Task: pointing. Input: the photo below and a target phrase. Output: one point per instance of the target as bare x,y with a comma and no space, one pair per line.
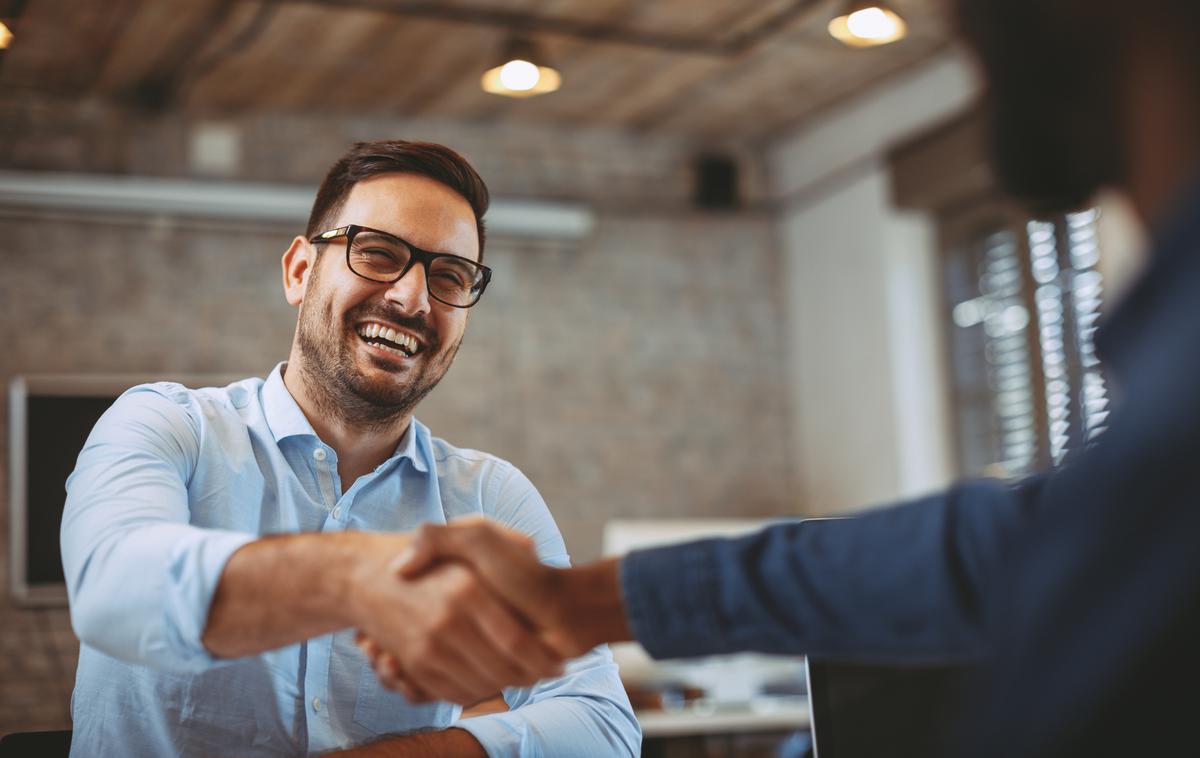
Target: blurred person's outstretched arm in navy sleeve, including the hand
905,583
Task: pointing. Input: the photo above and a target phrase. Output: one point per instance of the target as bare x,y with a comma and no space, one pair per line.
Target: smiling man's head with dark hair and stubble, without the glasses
350,365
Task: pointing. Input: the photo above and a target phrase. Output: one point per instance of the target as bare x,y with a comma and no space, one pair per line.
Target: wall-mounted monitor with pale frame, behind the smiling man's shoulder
50,419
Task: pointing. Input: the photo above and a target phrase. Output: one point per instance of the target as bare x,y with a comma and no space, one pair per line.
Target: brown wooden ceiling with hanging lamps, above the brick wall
710,70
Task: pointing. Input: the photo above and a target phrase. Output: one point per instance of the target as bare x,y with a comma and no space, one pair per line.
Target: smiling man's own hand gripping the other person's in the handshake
448,636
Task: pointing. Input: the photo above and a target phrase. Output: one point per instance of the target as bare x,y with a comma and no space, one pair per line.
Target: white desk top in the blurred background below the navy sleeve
765,715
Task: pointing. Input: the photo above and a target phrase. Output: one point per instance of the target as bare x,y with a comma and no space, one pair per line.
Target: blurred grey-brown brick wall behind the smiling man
635,374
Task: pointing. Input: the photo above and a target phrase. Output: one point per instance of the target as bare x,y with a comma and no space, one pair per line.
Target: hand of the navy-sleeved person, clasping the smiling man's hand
574,610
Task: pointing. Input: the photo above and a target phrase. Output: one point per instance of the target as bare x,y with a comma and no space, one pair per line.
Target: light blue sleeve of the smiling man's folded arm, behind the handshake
583,713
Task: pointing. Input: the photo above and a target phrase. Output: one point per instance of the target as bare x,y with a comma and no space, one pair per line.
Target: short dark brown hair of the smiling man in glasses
398,157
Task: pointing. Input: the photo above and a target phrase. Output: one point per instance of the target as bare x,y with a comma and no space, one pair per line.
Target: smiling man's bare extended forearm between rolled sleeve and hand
285,589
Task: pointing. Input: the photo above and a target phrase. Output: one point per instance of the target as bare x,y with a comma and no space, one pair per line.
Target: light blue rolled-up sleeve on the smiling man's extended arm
140,577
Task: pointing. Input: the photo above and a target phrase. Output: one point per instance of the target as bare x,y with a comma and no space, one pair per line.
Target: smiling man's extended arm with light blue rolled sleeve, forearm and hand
149,587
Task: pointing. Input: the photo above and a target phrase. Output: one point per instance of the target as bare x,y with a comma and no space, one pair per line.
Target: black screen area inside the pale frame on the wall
56,430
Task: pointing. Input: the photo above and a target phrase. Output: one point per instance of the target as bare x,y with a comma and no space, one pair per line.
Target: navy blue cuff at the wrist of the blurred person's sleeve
673,599
